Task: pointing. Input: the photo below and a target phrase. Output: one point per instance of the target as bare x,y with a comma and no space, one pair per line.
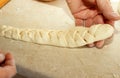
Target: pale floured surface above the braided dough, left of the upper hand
35,14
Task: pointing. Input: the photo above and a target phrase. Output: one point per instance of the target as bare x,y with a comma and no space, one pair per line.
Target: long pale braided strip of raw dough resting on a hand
74,37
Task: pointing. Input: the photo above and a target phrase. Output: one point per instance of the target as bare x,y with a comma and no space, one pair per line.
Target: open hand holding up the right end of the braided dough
92,12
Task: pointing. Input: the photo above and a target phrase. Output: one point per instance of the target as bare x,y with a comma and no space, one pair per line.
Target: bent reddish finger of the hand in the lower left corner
9,60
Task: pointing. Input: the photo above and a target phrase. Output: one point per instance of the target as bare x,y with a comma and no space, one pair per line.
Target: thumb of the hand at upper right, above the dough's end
105,7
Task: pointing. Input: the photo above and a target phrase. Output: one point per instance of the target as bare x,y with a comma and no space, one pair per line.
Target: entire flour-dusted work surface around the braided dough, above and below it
41,61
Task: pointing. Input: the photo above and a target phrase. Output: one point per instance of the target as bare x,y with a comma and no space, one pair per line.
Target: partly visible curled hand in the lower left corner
7,66
